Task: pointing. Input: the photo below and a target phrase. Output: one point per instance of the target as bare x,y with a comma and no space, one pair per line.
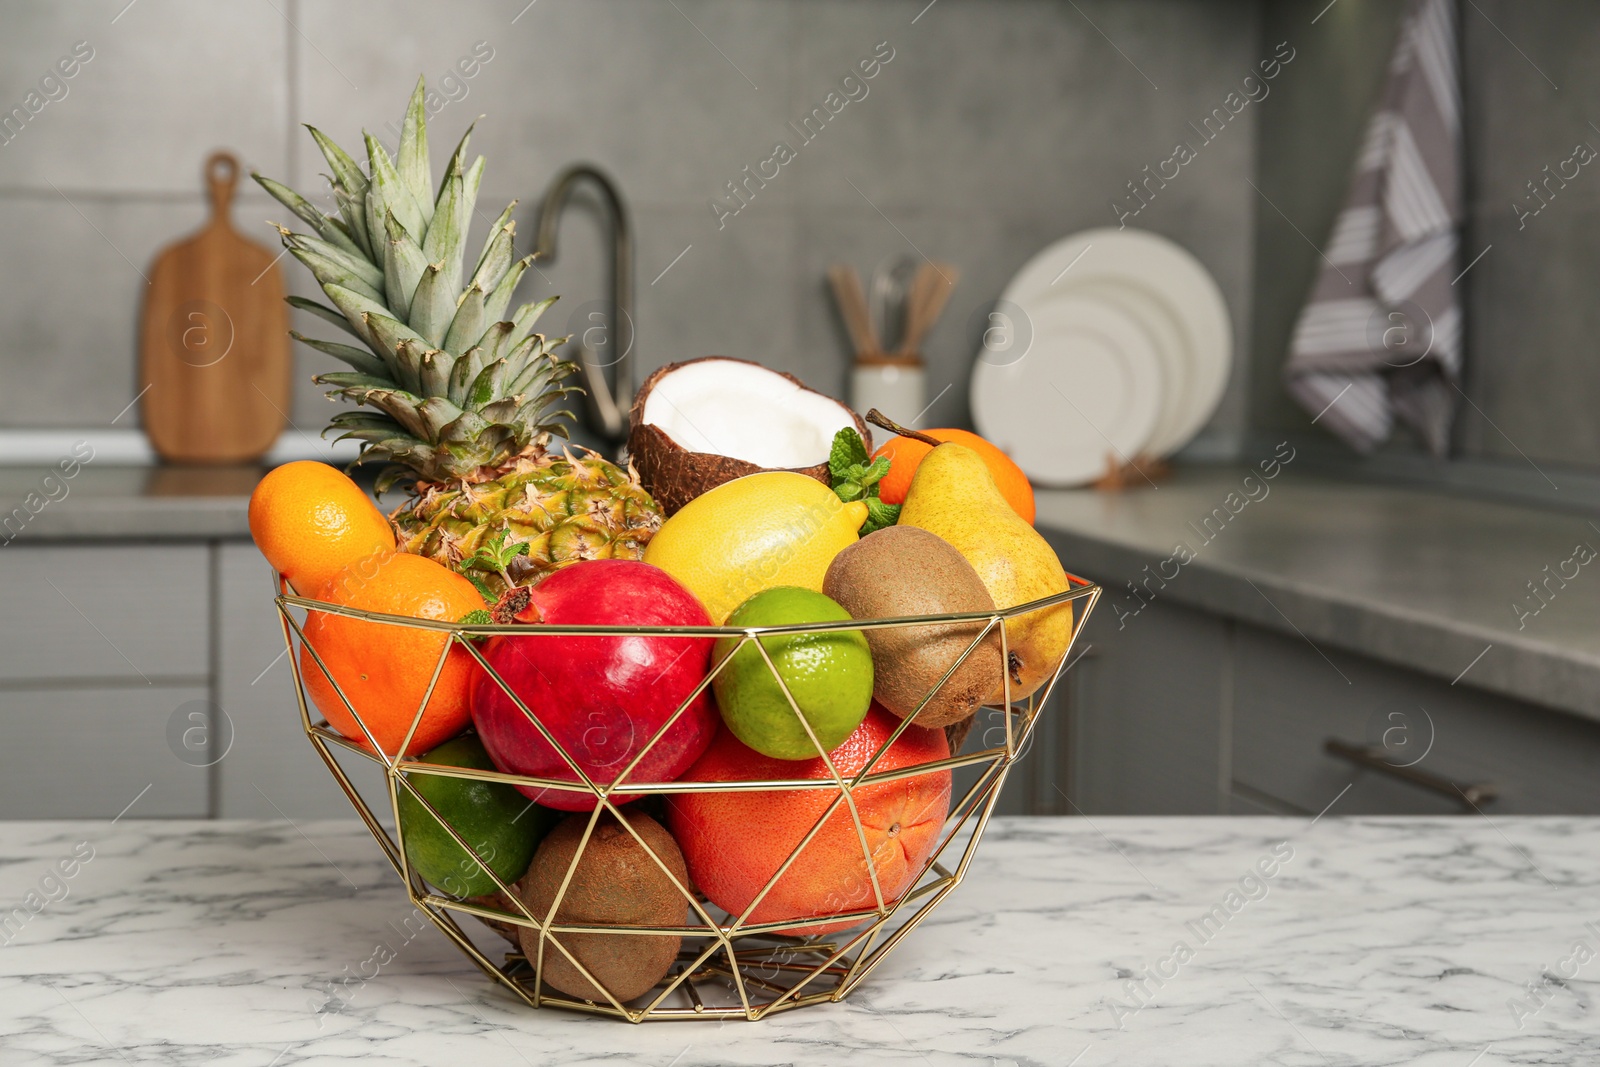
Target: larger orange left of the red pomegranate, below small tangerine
383,668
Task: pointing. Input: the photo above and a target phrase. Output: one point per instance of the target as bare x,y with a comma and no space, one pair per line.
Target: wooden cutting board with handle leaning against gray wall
215,356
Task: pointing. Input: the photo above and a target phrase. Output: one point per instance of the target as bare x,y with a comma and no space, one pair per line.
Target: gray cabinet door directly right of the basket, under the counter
1146,725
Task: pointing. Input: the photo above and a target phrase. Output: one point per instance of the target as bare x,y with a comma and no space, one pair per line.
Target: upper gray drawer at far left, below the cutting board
130,613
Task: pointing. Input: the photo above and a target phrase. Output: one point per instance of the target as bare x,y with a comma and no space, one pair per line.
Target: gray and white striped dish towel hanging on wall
1380,337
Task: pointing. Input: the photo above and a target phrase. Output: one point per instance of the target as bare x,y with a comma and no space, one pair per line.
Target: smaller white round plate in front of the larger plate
1084,386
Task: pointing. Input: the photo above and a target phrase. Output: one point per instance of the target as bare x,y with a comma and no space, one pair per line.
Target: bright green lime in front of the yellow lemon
828,674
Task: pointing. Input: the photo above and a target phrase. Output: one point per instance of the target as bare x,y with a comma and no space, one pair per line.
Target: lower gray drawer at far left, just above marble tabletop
87,753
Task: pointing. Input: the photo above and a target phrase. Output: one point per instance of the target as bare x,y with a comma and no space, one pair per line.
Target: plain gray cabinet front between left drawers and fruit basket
271,770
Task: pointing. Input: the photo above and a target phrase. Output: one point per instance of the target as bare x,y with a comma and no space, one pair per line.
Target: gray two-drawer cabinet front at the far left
105,676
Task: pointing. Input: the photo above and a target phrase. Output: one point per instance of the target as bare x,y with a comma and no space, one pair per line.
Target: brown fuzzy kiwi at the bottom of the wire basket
615,884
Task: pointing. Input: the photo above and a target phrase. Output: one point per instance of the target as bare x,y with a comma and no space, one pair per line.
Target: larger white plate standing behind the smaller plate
1172,295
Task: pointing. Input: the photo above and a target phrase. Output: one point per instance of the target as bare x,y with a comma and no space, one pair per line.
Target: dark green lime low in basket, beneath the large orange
503,826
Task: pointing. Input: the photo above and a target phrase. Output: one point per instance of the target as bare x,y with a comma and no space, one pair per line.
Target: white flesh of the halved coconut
746,412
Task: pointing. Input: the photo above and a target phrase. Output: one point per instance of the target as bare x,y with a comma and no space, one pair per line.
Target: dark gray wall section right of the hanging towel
1534,316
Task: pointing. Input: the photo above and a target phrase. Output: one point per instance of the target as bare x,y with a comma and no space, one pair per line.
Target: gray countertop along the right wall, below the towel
1428,581
